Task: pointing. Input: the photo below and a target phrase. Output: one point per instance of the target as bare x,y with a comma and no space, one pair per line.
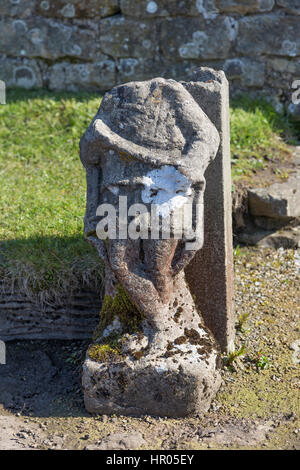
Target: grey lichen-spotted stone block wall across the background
96,44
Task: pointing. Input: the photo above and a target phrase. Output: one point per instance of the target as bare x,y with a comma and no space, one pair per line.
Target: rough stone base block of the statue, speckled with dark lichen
160,374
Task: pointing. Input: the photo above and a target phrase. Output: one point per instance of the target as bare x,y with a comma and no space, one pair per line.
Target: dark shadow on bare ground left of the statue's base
42,378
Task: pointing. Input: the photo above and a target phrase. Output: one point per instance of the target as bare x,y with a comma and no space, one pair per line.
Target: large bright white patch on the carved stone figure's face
166,188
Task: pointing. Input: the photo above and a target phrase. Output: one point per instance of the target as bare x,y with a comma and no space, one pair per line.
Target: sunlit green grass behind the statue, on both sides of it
42,202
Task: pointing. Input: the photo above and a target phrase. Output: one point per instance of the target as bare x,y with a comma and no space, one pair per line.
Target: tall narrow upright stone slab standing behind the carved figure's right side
210,274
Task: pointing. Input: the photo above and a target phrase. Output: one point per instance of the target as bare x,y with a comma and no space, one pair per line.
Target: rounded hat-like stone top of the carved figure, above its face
156,122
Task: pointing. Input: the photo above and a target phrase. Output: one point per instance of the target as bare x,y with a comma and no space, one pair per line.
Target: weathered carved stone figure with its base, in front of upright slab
145,154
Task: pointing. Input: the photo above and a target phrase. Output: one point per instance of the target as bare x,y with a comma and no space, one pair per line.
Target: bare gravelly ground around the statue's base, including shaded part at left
258,406
